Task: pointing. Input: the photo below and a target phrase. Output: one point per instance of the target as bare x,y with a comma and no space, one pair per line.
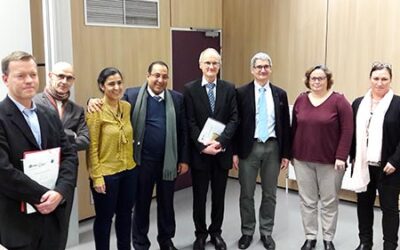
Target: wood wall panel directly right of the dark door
291,32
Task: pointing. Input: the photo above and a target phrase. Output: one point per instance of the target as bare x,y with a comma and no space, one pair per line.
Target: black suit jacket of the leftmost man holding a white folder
16,228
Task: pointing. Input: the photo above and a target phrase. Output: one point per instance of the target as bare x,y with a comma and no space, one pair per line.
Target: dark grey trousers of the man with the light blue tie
264,158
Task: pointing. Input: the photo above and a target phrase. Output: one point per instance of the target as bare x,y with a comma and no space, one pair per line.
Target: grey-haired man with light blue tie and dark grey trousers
262,143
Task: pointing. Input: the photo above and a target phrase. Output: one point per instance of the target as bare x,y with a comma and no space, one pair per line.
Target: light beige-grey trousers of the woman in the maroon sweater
318,182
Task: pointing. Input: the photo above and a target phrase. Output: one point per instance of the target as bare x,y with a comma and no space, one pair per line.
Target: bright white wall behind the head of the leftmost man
15,26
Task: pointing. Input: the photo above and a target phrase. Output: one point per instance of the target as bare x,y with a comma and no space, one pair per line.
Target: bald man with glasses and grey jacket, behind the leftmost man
56,97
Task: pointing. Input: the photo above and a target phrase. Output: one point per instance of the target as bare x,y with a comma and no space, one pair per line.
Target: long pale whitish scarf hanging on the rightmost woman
372,153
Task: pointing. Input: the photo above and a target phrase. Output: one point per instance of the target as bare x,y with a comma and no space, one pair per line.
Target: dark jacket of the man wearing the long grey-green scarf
131,95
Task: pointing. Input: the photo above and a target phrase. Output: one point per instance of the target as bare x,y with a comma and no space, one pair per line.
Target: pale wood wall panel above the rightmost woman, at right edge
359,33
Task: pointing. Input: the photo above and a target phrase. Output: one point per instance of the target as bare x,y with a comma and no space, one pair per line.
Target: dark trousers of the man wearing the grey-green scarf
150,173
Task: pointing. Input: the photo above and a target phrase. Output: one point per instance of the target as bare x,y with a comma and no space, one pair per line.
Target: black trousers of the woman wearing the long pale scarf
389,199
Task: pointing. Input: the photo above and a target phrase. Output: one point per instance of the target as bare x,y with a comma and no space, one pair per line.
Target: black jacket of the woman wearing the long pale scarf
390,140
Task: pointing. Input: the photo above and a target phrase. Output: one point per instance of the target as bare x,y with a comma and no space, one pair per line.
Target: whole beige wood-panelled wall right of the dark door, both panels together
346,35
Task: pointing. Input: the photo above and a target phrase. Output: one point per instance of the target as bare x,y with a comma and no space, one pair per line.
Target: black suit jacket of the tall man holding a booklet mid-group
198,110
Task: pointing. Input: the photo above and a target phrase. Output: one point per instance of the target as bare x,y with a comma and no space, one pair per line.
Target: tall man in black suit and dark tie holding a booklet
206,98
